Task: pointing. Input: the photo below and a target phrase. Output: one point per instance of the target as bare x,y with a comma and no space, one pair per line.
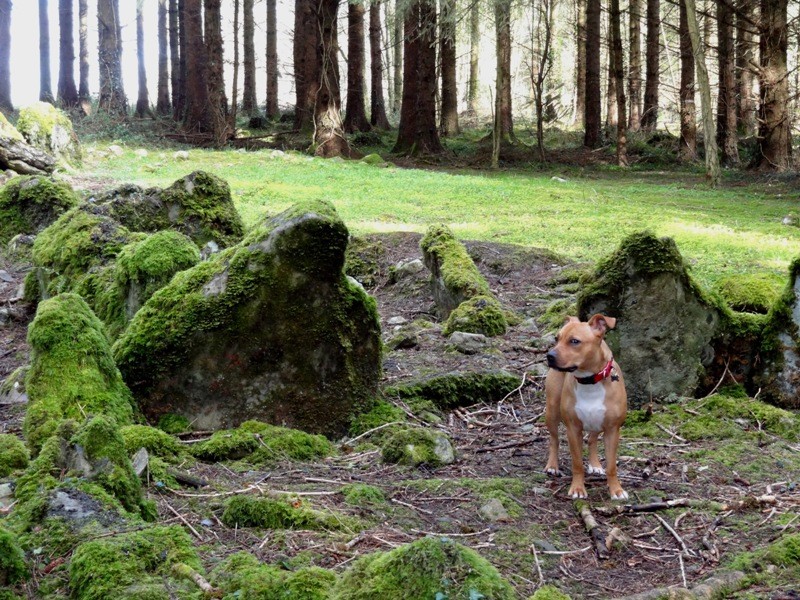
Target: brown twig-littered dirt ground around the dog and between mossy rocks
500,446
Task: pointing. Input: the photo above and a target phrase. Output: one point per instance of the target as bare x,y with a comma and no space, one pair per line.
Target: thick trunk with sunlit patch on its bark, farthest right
774,131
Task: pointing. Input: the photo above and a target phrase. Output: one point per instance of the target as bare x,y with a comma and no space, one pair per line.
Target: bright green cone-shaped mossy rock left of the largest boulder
72,371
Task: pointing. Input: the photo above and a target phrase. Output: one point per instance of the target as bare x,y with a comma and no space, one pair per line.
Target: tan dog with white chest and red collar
585,389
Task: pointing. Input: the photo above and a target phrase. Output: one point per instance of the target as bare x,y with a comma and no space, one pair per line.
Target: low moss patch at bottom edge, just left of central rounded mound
241,575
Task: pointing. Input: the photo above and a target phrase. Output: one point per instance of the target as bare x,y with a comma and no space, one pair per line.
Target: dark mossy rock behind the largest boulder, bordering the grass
198,205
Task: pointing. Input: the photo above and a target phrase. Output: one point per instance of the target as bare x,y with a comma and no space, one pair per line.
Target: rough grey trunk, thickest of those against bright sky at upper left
112,91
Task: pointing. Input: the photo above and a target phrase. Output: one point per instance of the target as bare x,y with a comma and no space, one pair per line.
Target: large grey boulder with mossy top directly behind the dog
666,325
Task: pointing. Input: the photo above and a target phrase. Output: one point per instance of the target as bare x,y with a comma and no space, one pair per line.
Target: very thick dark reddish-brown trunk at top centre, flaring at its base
418,133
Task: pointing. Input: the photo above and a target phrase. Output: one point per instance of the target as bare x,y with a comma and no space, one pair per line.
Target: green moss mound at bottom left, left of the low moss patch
105,568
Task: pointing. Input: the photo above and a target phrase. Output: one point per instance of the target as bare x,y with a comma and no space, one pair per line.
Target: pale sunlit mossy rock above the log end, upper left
49,129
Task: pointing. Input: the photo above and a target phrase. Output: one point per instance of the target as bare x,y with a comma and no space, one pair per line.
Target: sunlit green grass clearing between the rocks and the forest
720,232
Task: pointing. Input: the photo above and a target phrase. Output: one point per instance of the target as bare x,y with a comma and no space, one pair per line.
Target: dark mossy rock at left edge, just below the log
29,204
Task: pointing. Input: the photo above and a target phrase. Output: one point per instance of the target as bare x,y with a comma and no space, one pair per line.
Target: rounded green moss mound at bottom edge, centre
428,568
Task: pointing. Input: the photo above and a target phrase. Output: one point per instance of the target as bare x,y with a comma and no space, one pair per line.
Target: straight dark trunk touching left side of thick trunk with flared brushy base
306,65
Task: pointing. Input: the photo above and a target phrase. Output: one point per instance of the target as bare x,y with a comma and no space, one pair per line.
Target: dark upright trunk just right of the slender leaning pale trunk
727,138
